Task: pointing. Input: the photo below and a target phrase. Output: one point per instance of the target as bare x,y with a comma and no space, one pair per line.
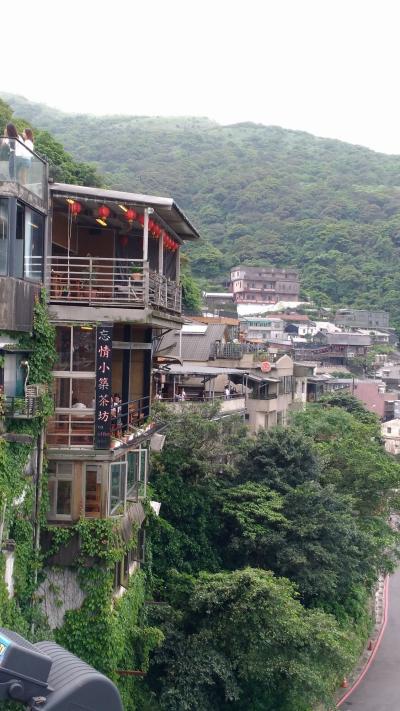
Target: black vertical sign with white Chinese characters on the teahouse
103,387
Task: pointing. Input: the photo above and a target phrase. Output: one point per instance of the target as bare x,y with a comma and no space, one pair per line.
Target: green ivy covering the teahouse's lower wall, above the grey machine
109,634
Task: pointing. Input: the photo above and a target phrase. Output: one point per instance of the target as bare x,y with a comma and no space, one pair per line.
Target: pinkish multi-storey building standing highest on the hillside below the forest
263,285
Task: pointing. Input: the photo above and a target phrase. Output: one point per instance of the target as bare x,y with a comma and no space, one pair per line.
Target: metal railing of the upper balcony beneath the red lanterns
118,282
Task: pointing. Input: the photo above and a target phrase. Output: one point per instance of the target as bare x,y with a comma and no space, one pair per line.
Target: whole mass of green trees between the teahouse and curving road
278,540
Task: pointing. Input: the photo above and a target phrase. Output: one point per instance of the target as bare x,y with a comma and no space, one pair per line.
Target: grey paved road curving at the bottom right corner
379,690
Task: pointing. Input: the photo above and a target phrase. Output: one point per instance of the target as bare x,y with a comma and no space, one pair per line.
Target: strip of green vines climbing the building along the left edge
18,488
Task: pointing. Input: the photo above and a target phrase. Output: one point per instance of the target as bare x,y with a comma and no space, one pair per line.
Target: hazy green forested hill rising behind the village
259,194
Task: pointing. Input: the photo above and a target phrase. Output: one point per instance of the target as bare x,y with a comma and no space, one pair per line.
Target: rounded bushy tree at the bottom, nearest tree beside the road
243,640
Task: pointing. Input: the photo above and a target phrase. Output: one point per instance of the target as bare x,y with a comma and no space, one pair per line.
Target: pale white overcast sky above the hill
330,67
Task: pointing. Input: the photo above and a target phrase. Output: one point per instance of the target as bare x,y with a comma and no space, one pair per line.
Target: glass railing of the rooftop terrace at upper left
18,164
